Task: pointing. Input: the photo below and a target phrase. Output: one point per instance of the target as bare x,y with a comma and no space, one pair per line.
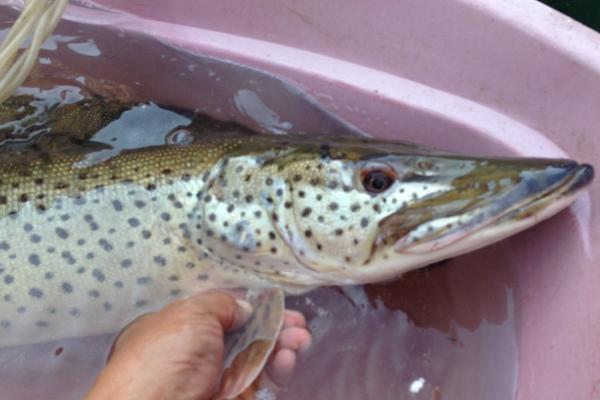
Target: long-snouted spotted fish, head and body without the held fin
84,248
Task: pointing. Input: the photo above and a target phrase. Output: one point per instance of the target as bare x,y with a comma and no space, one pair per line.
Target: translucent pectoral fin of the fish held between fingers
247,349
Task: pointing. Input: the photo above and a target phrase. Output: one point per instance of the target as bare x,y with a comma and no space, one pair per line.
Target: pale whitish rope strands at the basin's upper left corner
37,20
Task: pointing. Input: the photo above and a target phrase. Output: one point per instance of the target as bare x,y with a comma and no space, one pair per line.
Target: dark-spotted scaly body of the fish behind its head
84,250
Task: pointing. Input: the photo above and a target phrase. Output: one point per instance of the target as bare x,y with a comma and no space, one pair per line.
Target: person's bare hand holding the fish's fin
176,353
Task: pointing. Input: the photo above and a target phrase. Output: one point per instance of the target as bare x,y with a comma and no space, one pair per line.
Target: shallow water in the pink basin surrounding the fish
444,332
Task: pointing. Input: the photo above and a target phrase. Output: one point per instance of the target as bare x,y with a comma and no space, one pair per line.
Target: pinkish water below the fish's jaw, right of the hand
446,332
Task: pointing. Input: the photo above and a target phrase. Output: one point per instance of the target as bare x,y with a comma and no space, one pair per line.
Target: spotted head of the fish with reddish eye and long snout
358,211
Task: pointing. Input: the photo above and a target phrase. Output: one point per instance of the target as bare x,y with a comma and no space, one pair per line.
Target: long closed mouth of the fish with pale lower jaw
536,197
